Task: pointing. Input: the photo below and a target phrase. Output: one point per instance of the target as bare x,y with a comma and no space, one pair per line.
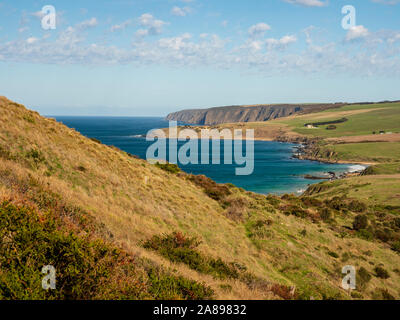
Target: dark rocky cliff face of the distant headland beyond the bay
231,114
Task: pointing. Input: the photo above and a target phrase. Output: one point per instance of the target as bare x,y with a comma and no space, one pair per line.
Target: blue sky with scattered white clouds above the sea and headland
152,57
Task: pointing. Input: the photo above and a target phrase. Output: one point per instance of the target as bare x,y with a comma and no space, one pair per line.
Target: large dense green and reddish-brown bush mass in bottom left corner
86,267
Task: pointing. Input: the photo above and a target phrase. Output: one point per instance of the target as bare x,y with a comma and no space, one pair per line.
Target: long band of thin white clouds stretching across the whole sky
378,54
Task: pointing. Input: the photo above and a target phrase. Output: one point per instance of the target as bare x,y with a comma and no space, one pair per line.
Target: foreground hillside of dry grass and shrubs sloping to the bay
129,229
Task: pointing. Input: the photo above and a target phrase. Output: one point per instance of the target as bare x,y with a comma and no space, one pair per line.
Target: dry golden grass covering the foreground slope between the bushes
136,200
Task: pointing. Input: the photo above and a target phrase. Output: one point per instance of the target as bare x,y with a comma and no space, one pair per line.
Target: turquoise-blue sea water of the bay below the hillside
275,170
